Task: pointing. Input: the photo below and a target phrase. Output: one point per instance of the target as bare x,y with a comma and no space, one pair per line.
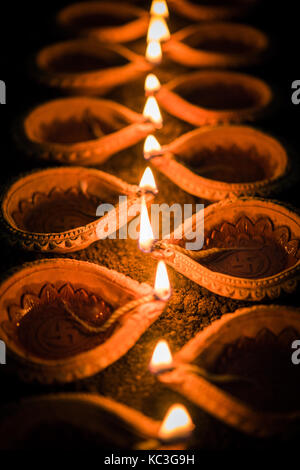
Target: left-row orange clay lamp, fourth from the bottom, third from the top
80,130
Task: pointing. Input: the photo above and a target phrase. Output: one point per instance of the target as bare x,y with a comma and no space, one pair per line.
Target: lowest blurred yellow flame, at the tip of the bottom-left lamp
177,424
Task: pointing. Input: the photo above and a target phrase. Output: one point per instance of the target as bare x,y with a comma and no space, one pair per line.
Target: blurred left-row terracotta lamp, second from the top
84,67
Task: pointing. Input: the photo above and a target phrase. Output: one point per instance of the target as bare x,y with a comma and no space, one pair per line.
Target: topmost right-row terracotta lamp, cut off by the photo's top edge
207,10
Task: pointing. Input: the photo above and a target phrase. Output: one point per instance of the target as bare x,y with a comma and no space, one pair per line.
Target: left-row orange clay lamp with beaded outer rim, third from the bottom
55,210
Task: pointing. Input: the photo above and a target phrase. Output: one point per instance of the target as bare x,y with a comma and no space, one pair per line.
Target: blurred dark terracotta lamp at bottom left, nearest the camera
73,419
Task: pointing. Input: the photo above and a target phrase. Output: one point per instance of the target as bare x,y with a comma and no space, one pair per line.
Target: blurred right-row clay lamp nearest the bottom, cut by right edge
240,370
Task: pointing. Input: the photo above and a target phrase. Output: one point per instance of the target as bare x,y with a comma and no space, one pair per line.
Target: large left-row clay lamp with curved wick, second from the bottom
64,319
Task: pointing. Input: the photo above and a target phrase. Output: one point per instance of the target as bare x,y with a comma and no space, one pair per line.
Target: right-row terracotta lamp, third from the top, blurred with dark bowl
214,97
